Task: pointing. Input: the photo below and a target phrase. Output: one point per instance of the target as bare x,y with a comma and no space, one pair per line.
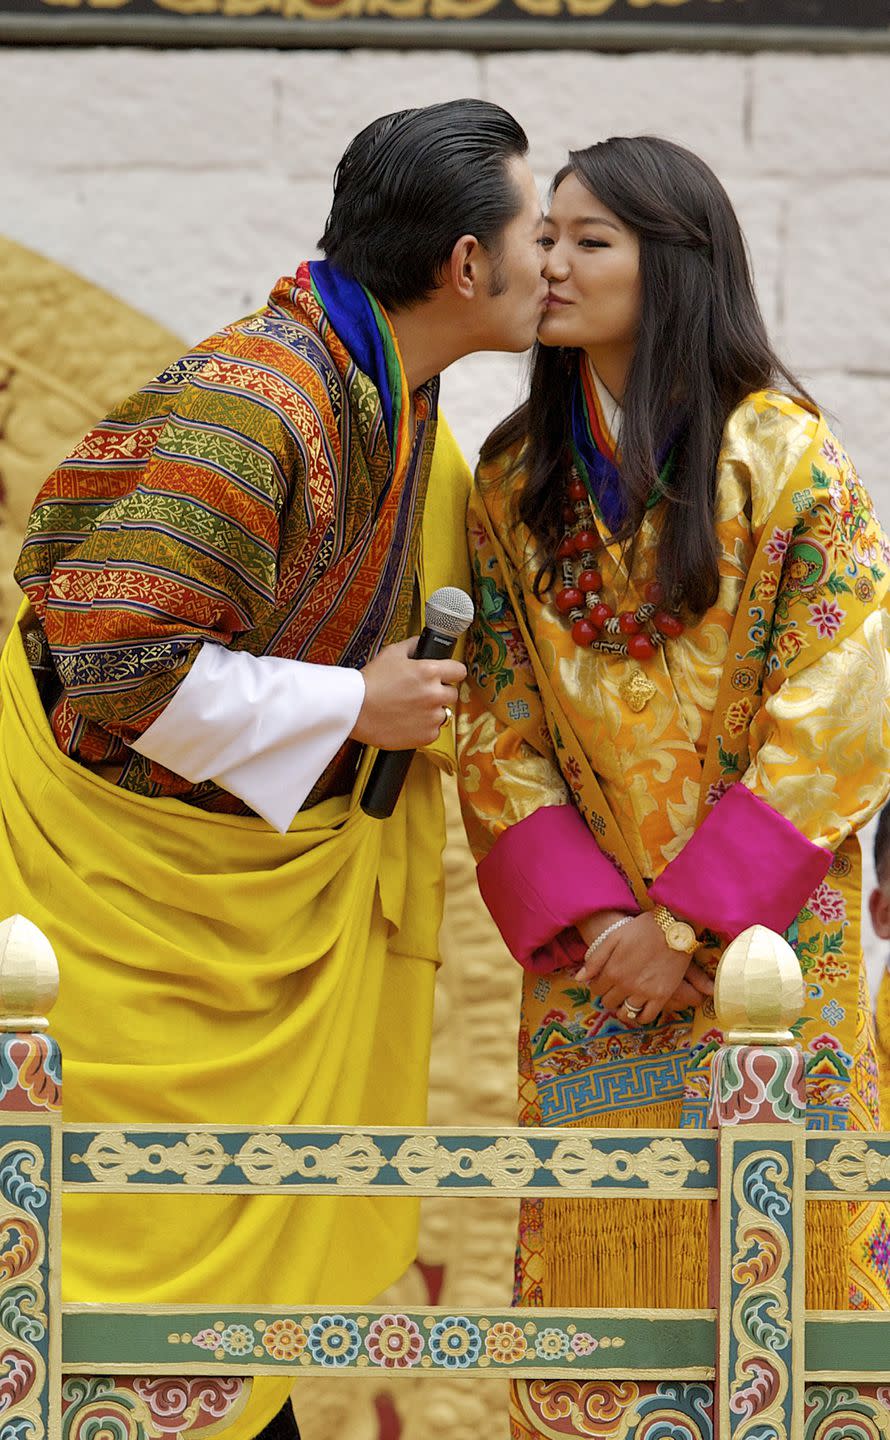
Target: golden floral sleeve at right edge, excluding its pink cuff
820,738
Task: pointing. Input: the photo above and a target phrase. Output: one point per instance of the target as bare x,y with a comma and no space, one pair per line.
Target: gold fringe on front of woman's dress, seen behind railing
637,1254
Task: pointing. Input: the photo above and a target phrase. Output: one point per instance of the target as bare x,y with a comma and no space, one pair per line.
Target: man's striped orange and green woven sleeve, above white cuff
188,551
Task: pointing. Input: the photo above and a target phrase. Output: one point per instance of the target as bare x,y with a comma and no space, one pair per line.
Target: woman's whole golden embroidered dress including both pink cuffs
729,773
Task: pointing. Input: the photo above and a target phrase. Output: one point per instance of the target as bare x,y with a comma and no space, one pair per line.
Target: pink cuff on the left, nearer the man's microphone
545,875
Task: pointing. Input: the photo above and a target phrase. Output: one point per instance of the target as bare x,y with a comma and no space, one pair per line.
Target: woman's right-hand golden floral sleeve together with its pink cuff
819,739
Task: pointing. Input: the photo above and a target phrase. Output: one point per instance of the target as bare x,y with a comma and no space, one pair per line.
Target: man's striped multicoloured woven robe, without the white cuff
248,498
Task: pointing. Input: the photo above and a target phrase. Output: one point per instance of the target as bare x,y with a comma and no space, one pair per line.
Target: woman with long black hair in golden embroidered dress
676,712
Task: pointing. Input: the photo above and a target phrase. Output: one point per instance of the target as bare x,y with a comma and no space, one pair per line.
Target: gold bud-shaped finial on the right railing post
758,990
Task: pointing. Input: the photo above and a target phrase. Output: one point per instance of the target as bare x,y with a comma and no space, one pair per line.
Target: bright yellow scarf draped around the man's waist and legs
214,970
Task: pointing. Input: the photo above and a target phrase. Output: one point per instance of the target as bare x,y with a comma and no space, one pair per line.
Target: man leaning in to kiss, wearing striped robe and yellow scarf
221,582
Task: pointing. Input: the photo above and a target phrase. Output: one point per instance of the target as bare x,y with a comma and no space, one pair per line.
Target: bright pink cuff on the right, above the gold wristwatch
747,865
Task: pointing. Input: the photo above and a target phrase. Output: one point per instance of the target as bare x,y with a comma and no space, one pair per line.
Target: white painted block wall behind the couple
186,182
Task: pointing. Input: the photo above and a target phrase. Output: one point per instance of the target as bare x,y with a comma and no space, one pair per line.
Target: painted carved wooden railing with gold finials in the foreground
755,1366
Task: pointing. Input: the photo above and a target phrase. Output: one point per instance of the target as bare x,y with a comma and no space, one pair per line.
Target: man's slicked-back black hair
411,184
